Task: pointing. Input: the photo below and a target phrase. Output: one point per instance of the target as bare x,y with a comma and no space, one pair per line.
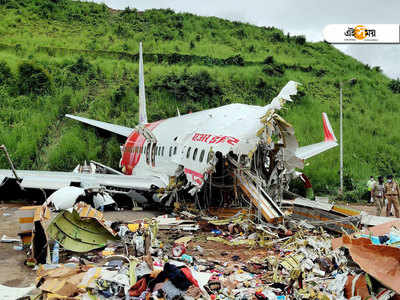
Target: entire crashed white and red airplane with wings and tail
224,156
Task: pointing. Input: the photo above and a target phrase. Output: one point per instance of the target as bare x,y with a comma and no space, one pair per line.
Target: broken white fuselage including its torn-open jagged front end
240,136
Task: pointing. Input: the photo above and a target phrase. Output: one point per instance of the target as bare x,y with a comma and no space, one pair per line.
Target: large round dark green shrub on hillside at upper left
32,79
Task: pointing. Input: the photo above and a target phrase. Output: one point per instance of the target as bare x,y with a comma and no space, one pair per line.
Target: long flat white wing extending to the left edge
56,180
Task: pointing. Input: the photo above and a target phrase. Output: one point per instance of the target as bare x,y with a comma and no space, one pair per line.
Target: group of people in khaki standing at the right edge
385,191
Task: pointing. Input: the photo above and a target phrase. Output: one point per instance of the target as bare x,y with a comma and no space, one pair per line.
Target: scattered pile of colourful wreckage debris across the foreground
80,255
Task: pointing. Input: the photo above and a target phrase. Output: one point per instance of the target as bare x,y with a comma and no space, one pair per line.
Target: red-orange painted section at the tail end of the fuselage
130,158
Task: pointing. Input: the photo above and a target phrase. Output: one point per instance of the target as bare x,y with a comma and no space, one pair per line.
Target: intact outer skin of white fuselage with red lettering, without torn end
188,140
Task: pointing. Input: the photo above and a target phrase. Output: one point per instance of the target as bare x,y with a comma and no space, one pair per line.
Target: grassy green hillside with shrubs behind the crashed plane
64,56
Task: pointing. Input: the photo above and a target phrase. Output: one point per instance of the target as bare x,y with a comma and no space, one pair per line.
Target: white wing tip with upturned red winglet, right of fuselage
314,149
